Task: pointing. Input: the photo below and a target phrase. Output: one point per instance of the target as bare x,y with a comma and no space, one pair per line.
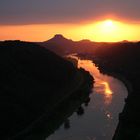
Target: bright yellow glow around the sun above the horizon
108,30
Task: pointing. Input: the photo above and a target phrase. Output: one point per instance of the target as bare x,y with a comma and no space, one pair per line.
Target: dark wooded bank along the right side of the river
128,127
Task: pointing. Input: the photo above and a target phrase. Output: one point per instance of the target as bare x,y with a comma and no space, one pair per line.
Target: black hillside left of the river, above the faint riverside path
33,79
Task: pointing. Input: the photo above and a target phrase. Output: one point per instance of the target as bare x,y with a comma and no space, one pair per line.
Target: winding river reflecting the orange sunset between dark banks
99,118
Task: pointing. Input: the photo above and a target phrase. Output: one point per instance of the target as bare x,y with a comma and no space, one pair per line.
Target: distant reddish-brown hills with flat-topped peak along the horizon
62,45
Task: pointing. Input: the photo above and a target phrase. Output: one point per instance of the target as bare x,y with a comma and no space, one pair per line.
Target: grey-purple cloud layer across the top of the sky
65,11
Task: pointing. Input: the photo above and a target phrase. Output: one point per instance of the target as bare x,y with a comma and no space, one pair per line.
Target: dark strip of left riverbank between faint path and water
76,94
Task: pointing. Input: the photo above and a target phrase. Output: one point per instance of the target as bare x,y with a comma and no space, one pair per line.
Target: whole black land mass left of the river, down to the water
35,83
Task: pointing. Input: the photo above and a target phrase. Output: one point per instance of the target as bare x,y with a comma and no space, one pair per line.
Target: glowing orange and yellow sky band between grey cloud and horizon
105,30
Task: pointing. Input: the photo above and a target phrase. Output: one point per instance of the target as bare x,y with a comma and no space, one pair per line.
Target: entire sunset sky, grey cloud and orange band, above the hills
38,20
